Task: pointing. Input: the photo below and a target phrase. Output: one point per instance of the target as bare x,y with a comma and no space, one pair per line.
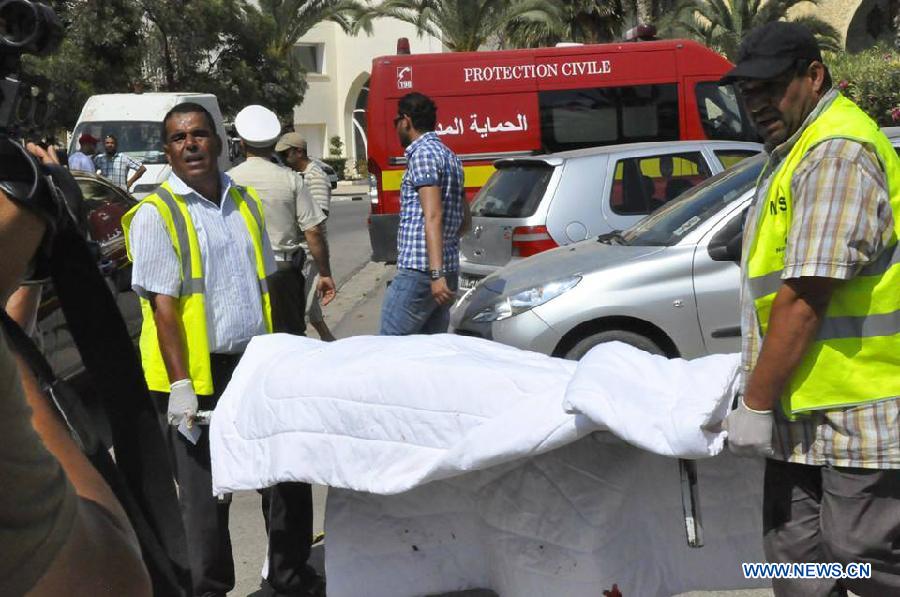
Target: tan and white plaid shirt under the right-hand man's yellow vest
842,220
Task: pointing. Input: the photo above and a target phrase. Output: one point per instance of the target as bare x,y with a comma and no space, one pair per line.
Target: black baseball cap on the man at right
771,49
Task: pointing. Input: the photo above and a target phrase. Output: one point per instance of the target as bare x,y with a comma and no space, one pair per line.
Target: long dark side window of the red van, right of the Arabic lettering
575,118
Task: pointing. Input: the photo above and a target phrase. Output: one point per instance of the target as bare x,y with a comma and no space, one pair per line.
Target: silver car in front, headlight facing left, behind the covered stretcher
668,285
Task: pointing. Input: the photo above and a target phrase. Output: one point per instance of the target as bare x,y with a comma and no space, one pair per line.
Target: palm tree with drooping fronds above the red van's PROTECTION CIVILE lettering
464,25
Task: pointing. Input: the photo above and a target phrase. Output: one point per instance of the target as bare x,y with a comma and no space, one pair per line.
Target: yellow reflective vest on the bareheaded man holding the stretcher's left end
191,304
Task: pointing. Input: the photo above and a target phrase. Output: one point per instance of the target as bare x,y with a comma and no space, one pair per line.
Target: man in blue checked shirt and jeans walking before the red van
433,215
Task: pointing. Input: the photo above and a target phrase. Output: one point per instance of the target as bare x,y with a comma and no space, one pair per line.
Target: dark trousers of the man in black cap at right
829,514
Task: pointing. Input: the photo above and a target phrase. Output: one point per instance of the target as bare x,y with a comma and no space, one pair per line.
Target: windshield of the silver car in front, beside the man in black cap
670,223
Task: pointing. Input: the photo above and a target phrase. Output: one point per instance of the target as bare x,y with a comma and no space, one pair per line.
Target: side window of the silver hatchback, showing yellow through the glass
642,184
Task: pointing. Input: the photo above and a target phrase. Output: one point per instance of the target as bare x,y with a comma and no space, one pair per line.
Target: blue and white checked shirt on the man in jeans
429,163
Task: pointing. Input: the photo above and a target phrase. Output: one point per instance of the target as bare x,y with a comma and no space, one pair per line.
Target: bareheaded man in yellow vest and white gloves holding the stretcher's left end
201,257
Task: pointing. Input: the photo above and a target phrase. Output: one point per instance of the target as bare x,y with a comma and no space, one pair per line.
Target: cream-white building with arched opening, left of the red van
338,67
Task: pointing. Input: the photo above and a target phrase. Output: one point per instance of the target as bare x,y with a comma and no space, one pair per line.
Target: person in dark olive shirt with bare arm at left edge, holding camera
62,531
